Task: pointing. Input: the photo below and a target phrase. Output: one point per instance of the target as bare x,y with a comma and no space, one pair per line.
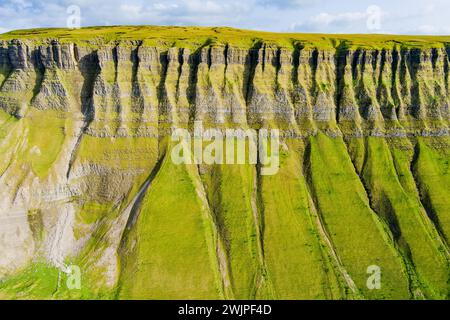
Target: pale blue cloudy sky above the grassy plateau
323,16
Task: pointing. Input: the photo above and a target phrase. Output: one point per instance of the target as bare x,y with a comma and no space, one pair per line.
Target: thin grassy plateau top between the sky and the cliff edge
194,37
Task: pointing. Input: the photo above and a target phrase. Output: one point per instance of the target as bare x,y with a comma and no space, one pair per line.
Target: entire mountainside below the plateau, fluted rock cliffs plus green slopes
83,166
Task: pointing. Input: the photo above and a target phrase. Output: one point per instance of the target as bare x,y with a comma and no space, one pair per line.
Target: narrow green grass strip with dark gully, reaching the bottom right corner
407,219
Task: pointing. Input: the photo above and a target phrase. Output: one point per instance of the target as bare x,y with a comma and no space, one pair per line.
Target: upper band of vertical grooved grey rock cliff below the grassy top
392,91
